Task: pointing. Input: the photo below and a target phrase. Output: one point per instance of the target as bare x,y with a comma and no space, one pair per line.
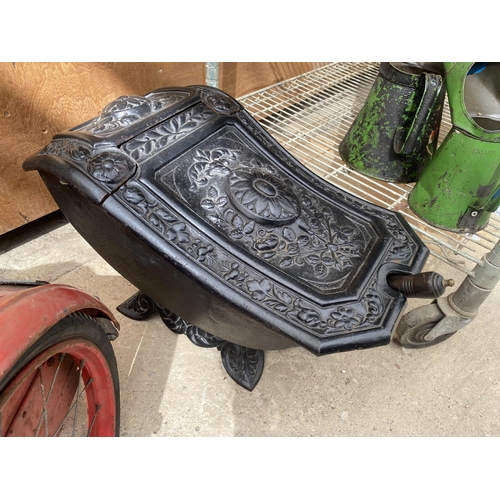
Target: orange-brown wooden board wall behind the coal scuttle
37,100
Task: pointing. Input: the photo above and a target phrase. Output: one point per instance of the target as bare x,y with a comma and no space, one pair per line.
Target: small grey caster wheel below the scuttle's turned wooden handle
413,329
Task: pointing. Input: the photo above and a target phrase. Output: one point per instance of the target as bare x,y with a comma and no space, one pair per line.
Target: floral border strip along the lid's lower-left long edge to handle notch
253,283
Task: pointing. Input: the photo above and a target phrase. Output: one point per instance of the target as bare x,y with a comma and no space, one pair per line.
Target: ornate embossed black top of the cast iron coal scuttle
252,224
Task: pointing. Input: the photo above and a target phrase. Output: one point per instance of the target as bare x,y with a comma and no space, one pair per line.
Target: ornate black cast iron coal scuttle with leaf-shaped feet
233,241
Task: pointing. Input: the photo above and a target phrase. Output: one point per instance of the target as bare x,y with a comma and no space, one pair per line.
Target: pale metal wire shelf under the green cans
310,114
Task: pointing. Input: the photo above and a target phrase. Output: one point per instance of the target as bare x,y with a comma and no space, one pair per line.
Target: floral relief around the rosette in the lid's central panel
272,221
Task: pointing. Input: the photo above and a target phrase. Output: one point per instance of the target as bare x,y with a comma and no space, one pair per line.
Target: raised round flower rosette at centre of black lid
263,197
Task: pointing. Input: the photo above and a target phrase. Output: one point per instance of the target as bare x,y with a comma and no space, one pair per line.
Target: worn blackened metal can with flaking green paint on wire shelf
396,131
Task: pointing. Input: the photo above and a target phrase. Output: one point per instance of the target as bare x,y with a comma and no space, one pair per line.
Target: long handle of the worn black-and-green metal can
433,84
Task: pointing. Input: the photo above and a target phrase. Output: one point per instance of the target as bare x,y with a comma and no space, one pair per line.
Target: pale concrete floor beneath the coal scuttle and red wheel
170,387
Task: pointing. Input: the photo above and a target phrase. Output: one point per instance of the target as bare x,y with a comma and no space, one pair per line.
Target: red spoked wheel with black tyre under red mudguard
66,384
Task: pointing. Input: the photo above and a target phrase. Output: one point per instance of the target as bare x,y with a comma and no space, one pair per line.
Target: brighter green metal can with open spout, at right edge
460,186
